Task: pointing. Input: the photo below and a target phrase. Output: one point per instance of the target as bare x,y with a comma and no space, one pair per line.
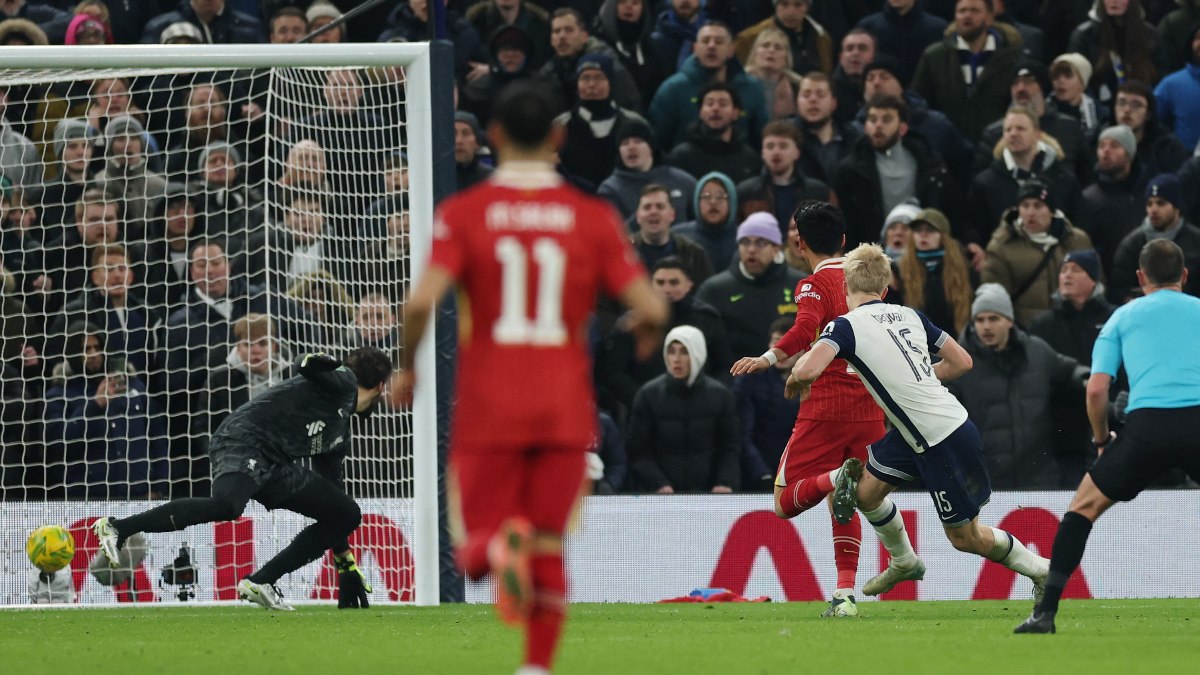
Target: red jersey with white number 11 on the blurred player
530,255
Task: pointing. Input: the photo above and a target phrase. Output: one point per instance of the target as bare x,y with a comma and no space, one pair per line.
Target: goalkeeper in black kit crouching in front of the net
255,457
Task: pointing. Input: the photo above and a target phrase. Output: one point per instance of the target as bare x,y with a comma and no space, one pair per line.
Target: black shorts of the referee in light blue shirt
1154,441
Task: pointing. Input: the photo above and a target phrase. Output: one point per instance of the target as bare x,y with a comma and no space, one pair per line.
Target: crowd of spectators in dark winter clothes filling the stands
1012,157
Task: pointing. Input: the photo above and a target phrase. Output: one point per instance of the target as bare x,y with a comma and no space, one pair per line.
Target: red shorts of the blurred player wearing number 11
488,487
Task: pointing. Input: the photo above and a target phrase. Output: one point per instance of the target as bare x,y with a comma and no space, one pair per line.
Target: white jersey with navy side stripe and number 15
890,347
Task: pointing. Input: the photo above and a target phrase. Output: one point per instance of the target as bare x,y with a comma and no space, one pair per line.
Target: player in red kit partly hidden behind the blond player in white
841,419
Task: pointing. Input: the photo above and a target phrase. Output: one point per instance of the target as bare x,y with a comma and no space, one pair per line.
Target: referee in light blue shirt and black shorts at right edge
1154,338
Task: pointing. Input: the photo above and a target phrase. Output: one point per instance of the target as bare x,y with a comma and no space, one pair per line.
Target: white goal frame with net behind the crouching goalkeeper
181,224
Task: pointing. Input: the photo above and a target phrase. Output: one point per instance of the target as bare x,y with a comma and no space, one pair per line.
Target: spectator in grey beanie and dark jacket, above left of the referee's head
1115,204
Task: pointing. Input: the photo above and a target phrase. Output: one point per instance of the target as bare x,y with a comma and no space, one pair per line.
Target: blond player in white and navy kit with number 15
932,441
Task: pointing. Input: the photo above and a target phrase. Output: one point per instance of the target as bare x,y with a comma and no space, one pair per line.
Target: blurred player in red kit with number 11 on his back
530,255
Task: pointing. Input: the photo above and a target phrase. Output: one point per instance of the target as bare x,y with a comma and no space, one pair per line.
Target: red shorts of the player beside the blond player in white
823,445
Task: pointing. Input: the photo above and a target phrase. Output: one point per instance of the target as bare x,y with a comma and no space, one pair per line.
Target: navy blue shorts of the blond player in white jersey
952,471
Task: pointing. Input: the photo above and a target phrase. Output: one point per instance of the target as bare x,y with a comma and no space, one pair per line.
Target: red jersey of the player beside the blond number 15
838,395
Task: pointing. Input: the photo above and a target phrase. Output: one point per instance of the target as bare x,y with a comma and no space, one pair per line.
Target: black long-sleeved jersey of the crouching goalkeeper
304,416
